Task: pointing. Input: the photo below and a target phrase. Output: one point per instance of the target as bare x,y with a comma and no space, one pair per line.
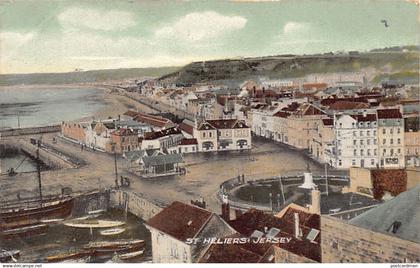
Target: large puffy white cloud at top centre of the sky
200,26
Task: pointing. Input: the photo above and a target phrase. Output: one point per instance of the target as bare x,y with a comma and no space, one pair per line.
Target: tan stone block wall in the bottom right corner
343,242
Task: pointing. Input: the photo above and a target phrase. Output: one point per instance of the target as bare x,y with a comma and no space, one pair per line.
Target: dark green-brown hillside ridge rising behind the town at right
402,60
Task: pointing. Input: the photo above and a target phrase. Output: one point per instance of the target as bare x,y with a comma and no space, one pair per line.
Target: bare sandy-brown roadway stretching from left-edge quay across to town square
205,172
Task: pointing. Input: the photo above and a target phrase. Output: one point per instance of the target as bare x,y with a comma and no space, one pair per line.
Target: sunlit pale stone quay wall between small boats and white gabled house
135,204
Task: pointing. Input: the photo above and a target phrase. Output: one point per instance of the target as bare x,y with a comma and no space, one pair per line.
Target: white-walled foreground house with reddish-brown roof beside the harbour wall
174,227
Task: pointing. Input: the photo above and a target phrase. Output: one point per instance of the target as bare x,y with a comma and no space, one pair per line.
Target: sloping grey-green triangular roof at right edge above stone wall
402,212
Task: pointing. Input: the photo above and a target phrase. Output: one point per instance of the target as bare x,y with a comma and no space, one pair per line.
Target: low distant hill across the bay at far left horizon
83,76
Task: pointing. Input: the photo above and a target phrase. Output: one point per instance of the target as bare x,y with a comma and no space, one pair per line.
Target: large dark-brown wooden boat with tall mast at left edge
29,211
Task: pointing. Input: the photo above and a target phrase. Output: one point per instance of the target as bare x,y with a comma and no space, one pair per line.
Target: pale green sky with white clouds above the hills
59,36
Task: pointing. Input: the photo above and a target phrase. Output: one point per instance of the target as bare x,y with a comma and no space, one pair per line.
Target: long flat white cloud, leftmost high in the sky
96,20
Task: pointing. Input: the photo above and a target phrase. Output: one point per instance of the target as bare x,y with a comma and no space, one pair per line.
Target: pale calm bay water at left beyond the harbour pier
44,106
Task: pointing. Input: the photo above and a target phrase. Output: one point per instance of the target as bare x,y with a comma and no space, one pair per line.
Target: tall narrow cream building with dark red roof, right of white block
390,138
